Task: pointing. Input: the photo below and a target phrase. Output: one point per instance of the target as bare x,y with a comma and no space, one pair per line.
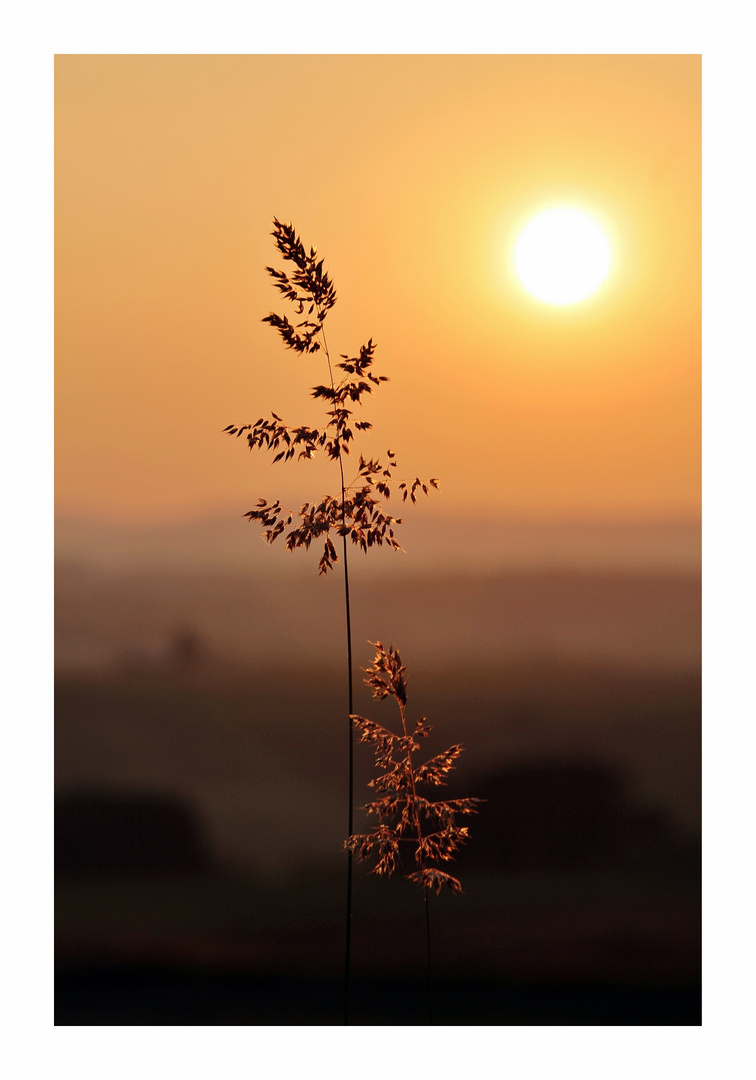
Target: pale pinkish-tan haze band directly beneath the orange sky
435,545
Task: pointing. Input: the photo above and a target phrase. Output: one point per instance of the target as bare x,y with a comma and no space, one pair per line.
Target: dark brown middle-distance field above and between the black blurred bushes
262,753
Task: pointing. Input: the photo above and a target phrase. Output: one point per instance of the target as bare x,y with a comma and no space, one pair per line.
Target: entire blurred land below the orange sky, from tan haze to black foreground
201,757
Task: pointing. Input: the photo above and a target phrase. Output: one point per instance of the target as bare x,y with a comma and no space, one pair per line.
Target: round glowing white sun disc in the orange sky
562,256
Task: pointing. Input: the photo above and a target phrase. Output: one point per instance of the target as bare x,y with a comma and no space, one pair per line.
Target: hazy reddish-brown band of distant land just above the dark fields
651,620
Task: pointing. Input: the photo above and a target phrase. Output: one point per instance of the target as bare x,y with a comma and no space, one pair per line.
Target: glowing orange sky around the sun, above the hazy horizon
412,175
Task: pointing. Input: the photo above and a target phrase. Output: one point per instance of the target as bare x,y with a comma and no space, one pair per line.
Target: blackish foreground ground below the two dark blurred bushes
586,947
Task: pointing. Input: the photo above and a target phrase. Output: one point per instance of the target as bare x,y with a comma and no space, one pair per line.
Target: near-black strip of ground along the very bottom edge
163,996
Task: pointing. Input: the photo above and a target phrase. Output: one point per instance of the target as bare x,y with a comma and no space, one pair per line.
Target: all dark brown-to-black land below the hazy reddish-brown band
201,875
